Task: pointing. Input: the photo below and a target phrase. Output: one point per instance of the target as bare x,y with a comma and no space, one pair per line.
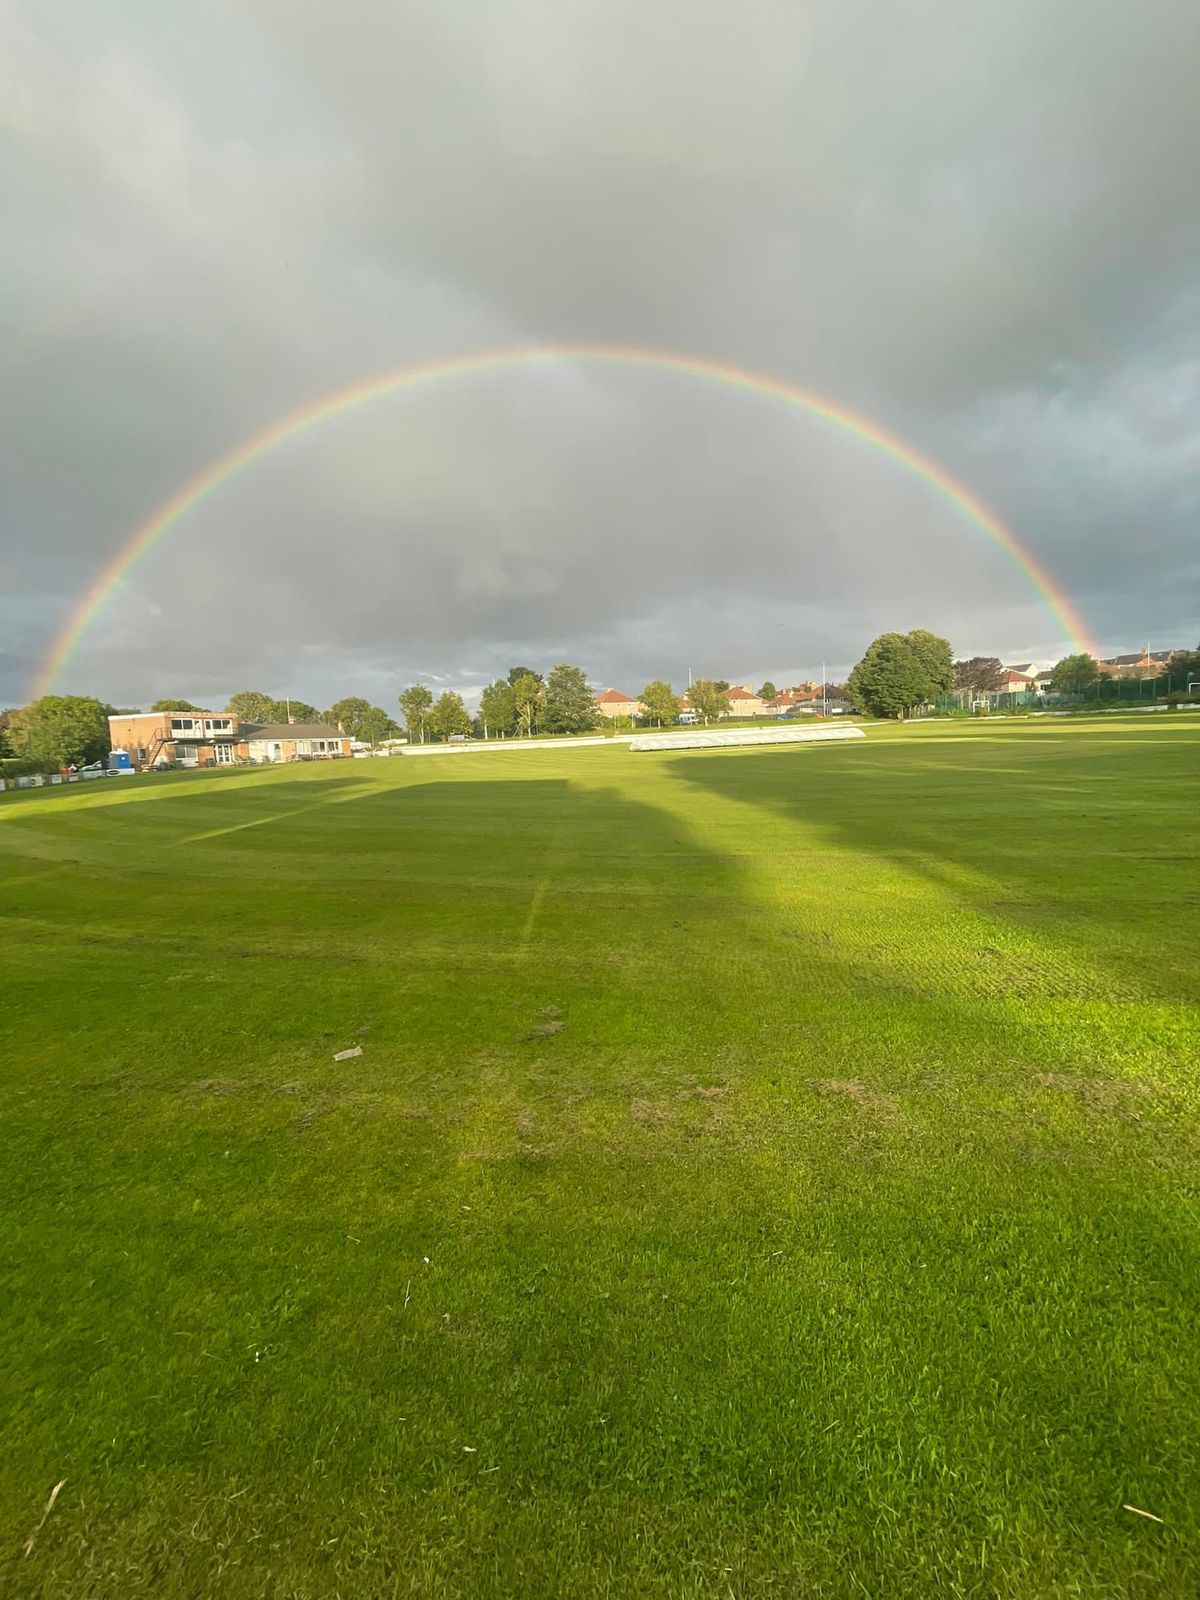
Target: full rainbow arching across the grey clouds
220,473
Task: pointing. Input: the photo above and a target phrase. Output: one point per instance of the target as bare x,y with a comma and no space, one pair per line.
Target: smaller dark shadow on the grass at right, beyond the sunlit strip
1082,846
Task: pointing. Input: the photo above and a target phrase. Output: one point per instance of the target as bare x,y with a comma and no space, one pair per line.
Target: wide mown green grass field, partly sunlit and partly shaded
766,1174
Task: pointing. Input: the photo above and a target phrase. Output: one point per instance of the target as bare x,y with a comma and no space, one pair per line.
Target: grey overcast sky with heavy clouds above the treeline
978,223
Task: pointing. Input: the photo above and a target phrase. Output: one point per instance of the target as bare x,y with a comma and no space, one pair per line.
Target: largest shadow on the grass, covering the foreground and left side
535,1313
